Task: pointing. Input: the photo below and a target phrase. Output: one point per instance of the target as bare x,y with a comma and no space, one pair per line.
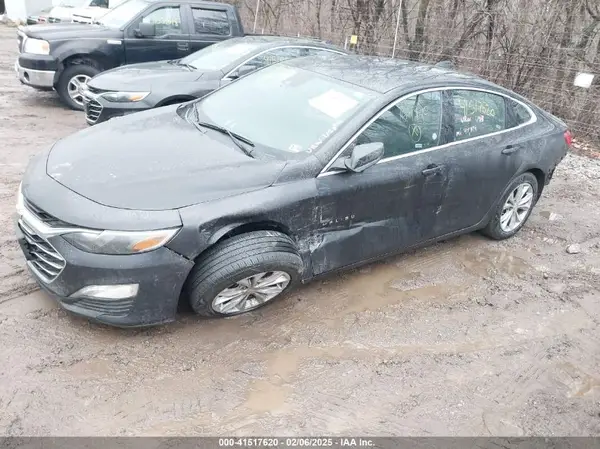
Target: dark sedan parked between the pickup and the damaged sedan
137,87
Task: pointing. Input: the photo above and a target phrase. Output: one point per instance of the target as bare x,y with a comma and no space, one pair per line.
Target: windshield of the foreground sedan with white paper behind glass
285,108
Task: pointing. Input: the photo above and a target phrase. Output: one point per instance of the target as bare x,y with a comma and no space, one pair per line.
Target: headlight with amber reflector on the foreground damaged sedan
119,242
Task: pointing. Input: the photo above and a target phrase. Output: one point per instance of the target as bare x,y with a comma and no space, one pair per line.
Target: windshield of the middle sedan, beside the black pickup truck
220,55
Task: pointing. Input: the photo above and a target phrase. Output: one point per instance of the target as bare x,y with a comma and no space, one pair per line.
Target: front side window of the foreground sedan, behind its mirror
413,124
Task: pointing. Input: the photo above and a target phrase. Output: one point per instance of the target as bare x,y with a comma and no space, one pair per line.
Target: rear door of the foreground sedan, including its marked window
487,150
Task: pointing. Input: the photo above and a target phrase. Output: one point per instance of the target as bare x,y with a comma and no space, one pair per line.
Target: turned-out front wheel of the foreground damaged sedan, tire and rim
235,260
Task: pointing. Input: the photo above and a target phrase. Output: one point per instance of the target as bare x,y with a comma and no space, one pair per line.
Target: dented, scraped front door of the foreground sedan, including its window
392,205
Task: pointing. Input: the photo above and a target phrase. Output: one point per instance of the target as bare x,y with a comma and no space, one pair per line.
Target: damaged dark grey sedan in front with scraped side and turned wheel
306,167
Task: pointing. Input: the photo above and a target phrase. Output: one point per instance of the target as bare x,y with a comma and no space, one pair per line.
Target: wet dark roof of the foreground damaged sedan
380,74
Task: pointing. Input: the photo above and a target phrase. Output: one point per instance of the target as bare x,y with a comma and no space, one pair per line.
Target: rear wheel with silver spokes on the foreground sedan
514,208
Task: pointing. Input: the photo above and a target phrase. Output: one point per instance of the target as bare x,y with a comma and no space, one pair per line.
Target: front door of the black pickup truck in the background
172,40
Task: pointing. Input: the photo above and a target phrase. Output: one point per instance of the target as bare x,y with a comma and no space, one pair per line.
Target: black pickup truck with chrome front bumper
65,56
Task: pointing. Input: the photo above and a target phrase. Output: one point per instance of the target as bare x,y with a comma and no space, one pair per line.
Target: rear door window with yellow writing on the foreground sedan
477,114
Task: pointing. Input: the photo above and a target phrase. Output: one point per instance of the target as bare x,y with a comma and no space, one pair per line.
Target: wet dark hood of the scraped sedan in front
155,160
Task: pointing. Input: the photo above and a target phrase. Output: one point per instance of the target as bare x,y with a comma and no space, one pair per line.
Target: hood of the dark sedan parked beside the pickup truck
141,77
